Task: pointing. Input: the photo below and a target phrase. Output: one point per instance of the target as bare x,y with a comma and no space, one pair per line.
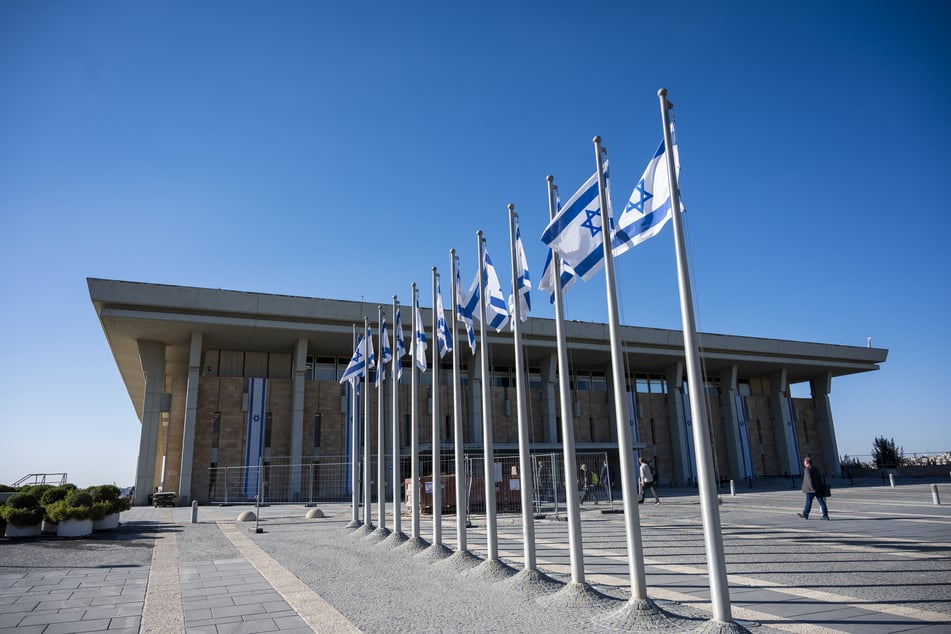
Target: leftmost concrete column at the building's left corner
152,358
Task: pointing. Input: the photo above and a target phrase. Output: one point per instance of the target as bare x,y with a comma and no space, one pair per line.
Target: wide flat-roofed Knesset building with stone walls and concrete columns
187,357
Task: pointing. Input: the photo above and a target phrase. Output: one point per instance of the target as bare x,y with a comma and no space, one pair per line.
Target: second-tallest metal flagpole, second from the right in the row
632,526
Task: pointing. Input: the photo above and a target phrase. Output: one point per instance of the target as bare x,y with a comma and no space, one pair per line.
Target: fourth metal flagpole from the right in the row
524,459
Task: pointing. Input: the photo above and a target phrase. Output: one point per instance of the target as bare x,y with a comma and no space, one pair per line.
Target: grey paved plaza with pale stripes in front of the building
882,564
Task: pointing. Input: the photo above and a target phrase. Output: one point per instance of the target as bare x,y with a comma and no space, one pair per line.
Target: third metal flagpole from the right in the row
575,545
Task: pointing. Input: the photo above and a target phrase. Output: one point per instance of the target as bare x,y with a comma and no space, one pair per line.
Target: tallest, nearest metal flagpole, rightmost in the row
710,512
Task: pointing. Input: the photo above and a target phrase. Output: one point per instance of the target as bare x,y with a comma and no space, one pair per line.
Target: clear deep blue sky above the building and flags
341,149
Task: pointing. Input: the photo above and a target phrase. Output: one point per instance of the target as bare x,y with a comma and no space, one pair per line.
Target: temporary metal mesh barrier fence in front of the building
282,482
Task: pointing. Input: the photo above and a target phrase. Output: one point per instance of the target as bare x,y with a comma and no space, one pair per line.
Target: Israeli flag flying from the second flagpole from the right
575,232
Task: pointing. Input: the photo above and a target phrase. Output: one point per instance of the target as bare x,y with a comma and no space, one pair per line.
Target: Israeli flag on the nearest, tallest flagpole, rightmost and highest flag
649,207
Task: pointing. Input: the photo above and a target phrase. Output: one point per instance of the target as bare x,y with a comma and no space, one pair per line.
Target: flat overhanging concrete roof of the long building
239,320
